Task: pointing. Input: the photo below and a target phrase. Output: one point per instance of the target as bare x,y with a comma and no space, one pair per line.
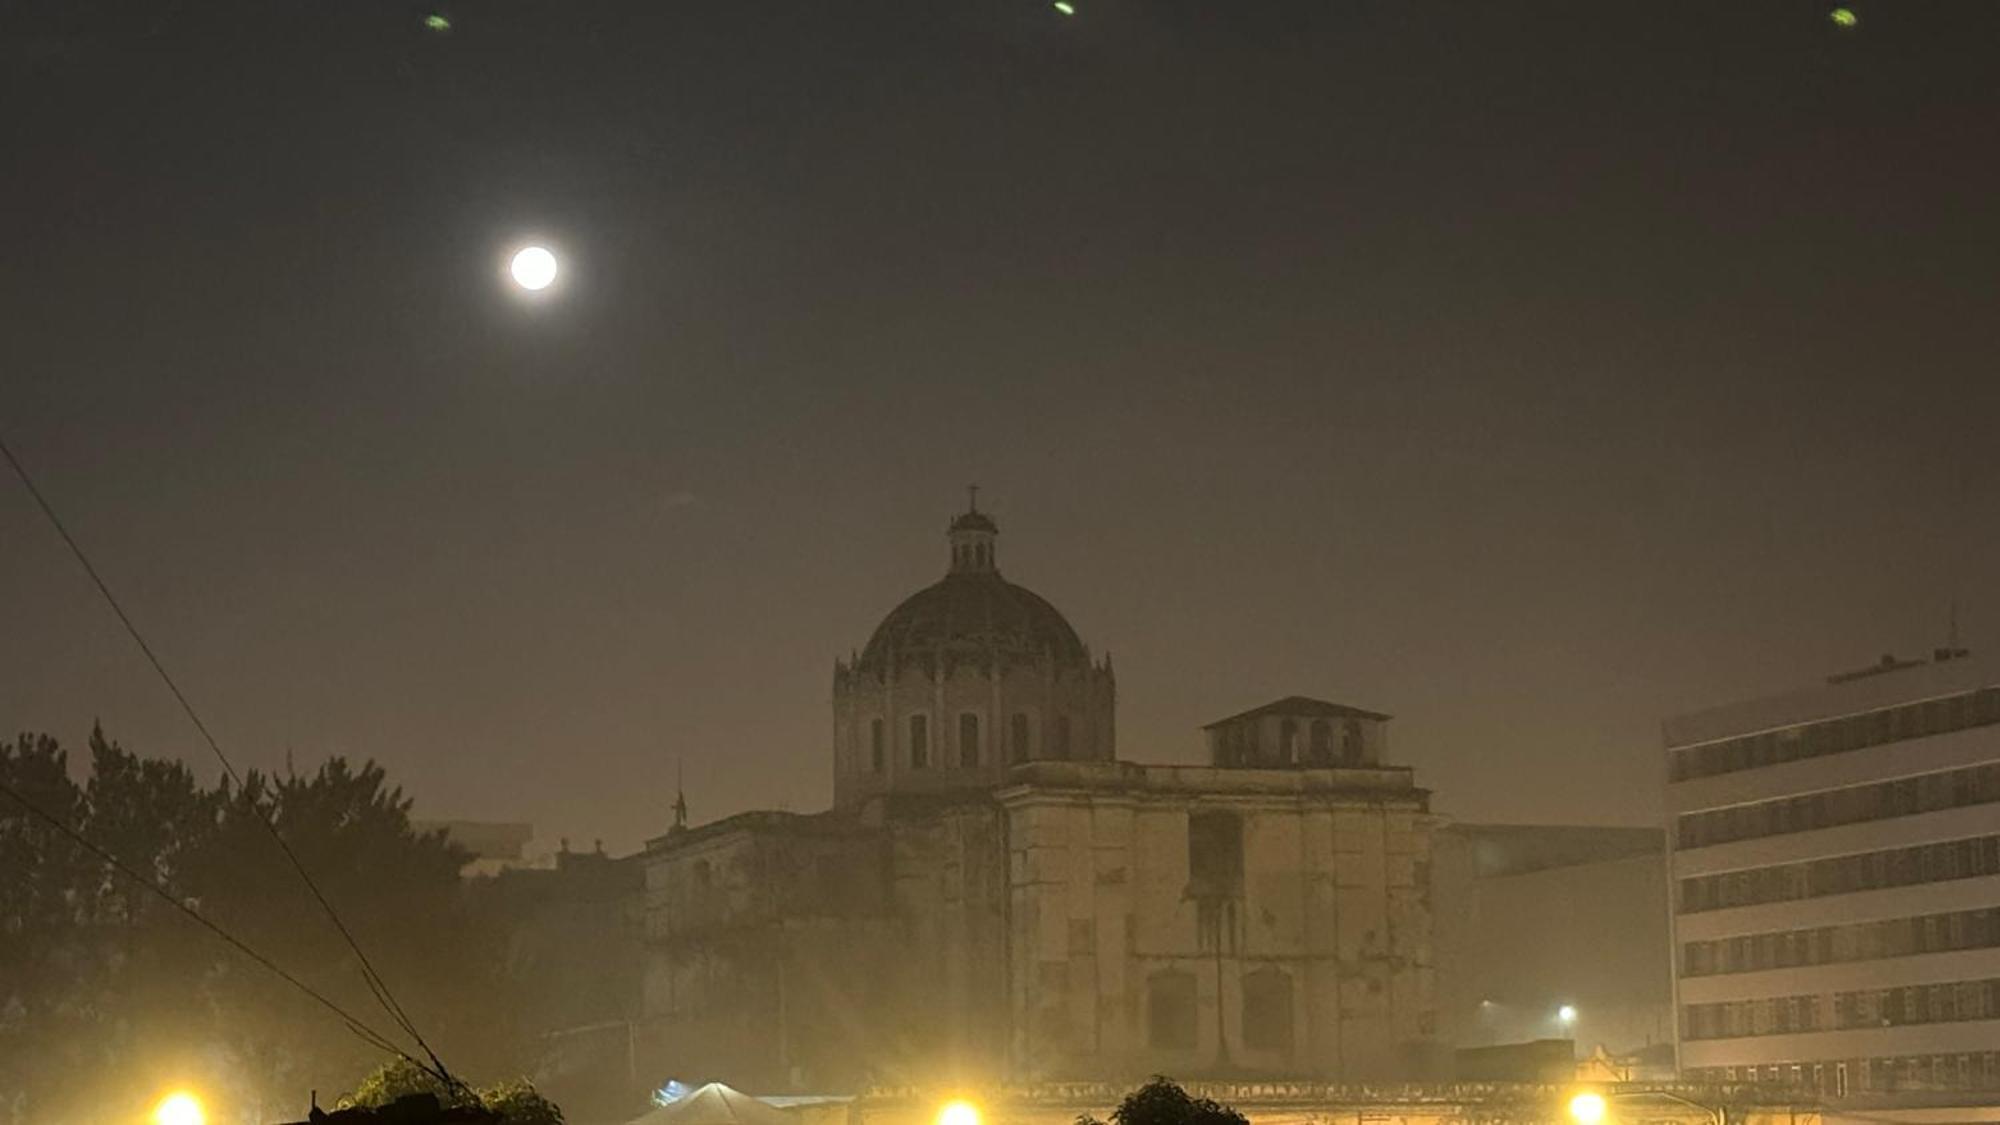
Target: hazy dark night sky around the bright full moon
1525,369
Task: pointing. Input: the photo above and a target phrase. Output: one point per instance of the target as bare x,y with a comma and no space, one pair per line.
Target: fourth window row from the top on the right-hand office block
1833,944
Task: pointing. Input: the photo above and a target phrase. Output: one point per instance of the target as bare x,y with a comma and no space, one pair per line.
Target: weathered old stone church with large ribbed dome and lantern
995,896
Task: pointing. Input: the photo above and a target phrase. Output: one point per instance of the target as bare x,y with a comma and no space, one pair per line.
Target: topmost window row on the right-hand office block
1839,736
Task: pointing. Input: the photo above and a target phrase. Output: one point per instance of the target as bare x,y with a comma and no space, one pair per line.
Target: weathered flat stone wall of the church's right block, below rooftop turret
1305,952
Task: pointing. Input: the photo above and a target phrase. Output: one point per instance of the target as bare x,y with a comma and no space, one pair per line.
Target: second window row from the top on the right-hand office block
1927,794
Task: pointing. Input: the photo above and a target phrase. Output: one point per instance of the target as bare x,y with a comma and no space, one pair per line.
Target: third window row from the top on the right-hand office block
1869,872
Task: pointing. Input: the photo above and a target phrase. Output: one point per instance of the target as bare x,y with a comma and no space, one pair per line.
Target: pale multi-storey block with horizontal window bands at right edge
1837,888
